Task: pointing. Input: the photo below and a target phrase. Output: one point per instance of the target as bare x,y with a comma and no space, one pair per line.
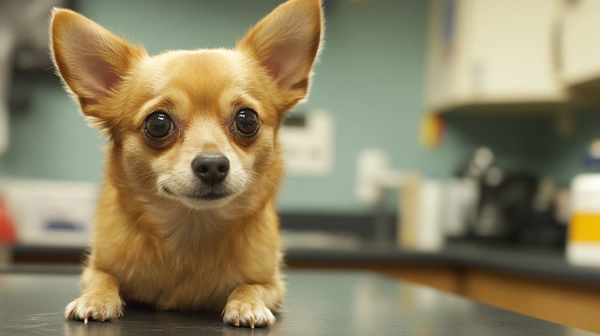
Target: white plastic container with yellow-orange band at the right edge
583,244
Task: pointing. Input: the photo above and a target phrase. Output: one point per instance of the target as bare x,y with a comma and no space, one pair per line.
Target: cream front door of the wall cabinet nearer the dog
512,54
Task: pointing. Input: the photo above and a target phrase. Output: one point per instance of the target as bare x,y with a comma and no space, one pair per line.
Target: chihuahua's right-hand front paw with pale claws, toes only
248,314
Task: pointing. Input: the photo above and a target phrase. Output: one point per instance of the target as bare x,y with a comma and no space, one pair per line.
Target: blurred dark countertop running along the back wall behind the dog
544,263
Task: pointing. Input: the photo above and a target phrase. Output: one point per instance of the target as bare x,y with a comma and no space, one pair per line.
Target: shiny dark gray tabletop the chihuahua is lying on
318,303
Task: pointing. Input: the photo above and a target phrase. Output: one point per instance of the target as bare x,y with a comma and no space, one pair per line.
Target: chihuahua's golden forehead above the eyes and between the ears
210,81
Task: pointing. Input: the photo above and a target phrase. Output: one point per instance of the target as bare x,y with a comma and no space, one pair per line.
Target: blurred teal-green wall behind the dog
371,78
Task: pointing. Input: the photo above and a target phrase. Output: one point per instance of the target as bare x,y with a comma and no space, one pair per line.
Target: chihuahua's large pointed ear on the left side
90,60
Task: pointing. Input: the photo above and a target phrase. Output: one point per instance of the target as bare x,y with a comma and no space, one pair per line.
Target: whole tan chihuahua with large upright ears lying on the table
186,216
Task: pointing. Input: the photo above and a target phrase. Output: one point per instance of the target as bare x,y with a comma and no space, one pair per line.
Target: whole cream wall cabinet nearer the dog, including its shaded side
494,54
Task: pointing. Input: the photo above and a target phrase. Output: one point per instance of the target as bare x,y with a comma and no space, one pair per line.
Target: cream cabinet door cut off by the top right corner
580,47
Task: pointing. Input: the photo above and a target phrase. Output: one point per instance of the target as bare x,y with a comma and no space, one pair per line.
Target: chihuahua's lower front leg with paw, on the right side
249,305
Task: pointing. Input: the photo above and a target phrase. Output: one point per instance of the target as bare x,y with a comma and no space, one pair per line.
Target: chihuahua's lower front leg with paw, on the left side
99,298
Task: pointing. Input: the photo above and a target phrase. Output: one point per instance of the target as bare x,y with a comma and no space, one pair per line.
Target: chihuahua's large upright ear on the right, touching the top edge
287,43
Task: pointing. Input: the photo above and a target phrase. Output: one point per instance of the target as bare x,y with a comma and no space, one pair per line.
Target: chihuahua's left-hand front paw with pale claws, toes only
95,307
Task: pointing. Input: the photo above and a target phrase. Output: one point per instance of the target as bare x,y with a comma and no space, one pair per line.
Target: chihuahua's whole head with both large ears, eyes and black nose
196,126
